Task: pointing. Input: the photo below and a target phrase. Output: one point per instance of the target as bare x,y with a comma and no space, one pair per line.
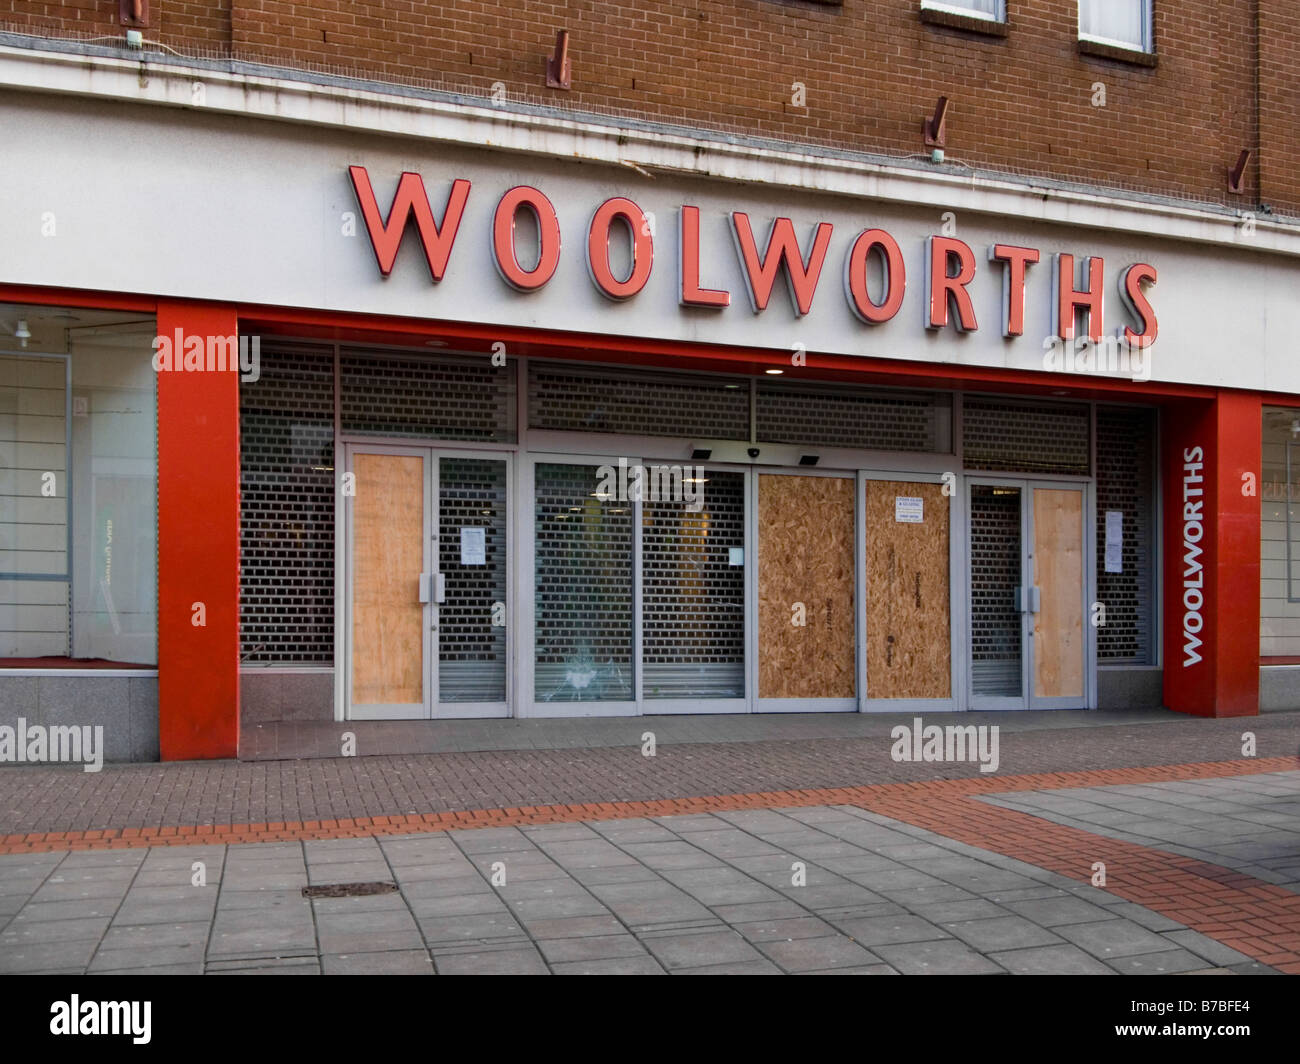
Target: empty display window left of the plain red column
79,488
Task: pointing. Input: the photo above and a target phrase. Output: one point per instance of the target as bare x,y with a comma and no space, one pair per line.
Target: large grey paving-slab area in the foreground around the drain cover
812,890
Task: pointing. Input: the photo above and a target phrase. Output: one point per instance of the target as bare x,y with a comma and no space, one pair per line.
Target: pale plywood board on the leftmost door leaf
388,557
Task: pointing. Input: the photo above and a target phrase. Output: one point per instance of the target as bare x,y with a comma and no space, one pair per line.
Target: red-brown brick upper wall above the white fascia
873,71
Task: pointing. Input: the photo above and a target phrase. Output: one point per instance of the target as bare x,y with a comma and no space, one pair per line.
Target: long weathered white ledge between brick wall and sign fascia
635,149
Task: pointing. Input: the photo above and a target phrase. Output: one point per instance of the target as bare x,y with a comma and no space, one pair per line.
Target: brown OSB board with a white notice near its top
909,634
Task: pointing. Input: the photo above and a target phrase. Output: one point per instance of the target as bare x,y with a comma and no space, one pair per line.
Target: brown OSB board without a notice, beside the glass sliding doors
805,556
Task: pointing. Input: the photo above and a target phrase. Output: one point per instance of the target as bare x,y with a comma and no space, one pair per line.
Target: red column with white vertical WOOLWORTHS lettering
1212,556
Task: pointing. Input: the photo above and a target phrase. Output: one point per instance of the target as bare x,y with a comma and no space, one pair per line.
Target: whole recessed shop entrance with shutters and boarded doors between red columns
561,560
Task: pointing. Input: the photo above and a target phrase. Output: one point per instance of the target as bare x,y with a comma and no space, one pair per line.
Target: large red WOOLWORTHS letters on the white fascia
951,263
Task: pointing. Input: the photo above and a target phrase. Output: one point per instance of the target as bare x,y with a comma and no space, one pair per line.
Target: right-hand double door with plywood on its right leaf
1029,577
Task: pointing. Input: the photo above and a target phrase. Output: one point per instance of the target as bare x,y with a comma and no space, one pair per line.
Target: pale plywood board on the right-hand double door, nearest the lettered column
1059,645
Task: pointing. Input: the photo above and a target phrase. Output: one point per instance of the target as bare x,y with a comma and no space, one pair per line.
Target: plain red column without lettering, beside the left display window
198,544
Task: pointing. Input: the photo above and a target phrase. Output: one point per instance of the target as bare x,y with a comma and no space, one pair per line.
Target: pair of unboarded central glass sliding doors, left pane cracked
639,587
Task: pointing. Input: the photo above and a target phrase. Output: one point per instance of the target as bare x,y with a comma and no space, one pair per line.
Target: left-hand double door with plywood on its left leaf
427,550
